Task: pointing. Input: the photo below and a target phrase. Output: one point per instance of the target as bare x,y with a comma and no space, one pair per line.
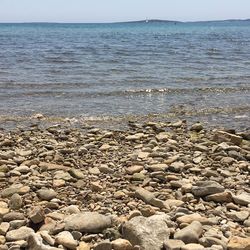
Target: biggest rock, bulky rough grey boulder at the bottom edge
148,233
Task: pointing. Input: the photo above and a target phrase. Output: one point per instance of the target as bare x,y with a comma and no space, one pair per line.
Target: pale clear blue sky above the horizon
121,10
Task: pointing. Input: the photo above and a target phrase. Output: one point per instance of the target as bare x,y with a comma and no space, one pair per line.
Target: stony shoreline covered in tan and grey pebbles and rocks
153,186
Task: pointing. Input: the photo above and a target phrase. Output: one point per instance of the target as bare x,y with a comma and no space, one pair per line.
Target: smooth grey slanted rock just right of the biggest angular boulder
190,234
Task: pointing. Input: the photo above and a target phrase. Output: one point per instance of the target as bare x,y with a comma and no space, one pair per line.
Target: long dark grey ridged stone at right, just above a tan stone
203,188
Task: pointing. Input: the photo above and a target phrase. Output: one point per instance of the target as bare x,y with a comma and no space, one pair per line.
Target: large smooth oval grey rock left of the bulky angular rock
88,222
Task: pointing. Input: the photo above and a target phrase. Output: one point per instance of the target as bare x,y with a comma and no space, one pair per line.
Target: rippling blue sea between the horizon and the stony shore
169,70
